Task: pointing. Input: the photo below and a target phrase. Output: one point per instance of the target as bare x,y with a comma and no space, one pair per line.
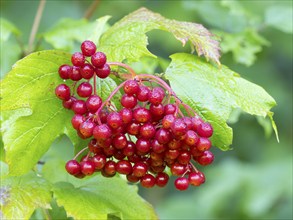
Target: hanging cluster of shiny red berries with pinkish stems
152,135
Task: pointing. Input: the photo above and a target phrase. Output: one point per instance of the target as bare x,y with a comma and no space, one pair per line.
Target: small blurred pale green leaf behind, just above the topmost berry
67,31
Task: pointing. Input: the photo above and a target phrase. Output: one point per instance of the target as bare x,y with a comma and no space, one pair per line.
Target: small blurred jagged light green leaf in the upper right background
243,45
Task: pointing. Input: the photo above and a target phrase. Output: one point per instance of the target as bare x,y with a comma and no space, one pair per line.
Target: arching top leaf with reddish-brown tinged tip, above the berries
127,40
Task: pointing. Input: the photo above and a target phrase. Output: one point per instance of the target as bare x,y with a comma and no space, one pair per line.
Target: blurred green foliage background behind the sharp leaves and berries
252,181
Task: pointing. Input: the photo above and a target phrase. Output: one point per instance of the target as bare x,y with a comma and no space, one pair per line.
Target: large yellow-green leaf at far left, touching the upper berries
28,134
